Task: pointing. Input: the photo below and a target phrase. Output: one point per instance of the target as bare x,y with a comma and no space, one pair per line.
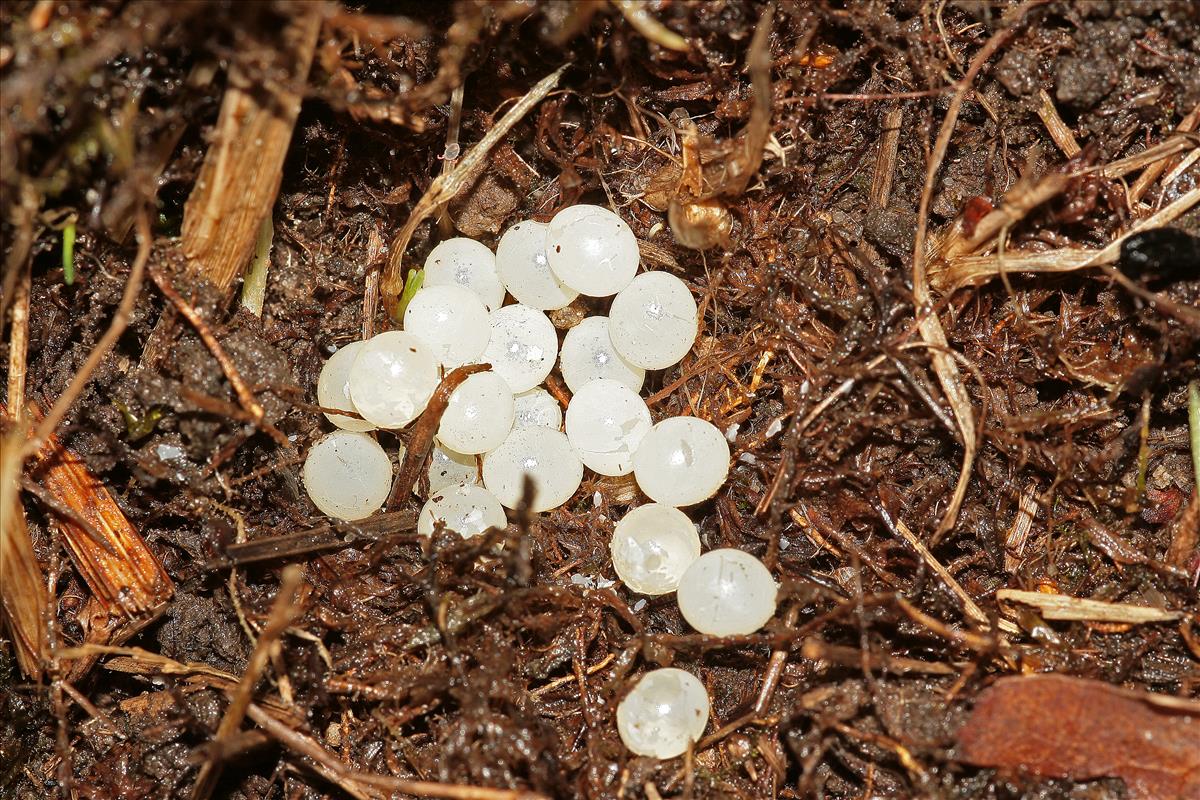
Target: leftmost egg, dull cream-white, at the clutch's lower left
347,476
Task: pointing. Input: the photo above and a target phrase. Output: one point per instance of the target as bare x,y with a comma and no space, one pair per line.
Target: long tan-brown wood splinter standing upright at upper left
241,178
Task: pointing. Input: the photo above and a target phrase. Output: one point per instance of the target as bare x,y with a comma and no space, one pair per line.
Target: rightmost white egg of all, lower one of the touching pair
727,593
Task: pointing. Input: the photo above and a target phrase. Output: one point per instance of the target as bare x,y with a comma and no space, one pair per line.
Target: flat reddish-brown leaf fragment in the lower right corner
1054,726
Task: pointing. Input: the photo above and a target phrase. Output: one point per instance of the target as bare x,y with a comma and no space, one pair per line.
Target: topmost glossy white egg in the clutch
592,250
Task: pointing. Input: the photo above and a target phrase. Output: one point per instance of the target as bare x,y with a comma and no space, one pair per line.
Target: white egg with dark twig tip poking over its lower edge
542,454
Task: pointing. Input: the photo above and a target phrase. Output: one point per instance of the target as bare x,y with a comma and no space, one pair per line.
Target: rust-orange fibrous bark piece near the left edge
122,572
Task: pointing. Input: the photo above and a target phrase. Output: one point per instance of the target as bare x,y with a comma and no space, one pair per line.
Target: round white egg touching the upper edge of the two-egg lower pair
682,461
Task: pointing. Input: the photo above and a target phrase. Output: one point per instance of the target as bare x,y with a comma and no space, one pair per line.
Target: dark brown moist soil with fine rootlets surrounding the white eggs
99,110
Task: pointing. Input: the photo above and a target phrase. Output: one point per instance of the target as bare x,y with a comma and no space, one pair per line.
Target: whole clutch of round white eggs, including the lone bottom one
501,431
